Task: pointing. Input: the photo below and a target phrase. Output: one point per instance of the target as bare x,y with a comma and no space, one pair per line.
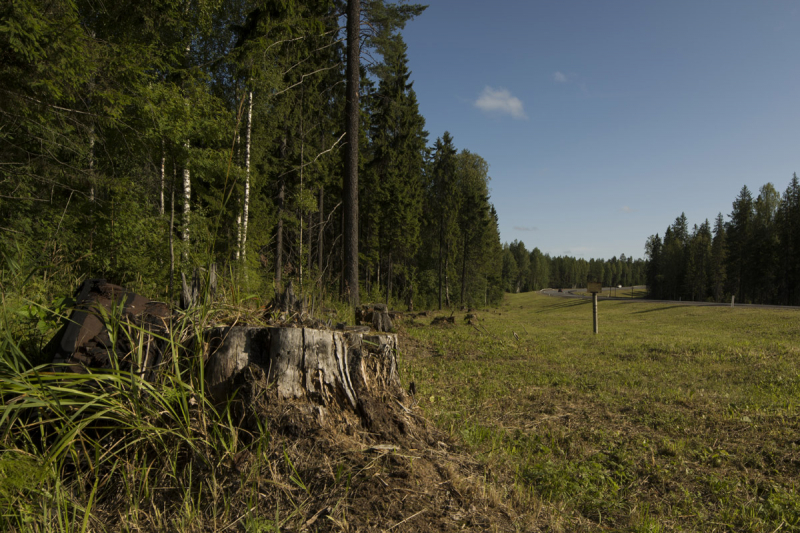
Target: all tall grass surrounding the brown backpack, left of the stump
108,449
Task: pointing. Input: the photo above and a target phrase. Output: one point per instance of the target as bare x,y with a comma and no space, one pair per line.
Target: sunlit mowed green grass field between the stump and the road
673,418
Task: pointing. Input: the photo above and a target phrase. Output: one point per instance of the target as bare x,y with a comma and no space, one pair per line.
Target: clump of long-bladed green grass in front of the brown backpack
85,439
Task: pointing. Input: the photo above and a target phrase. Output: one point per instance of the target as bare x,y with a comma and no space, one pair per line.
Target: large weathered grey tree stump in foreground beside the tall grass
322,366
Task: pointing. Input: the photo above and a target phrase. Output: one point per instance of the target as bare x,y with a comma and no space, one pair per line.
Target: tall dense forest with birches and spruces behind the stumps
141,139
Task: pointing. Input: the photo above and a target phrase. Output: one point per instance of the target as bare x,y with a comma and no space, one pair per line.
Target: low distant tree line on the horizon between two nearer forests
525,271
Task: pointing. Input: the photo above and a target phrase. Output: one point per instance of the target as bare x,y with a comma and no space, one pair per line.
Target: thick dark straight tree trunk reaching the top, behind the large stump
350,186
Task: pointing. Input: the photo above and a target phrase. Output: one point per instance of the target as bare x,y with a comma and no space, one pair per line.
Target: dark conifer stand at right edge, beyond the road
754,256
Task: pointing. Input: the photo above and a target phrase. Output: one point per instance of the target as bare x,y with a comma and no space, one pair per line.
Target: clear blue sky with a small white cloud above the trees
603,120
